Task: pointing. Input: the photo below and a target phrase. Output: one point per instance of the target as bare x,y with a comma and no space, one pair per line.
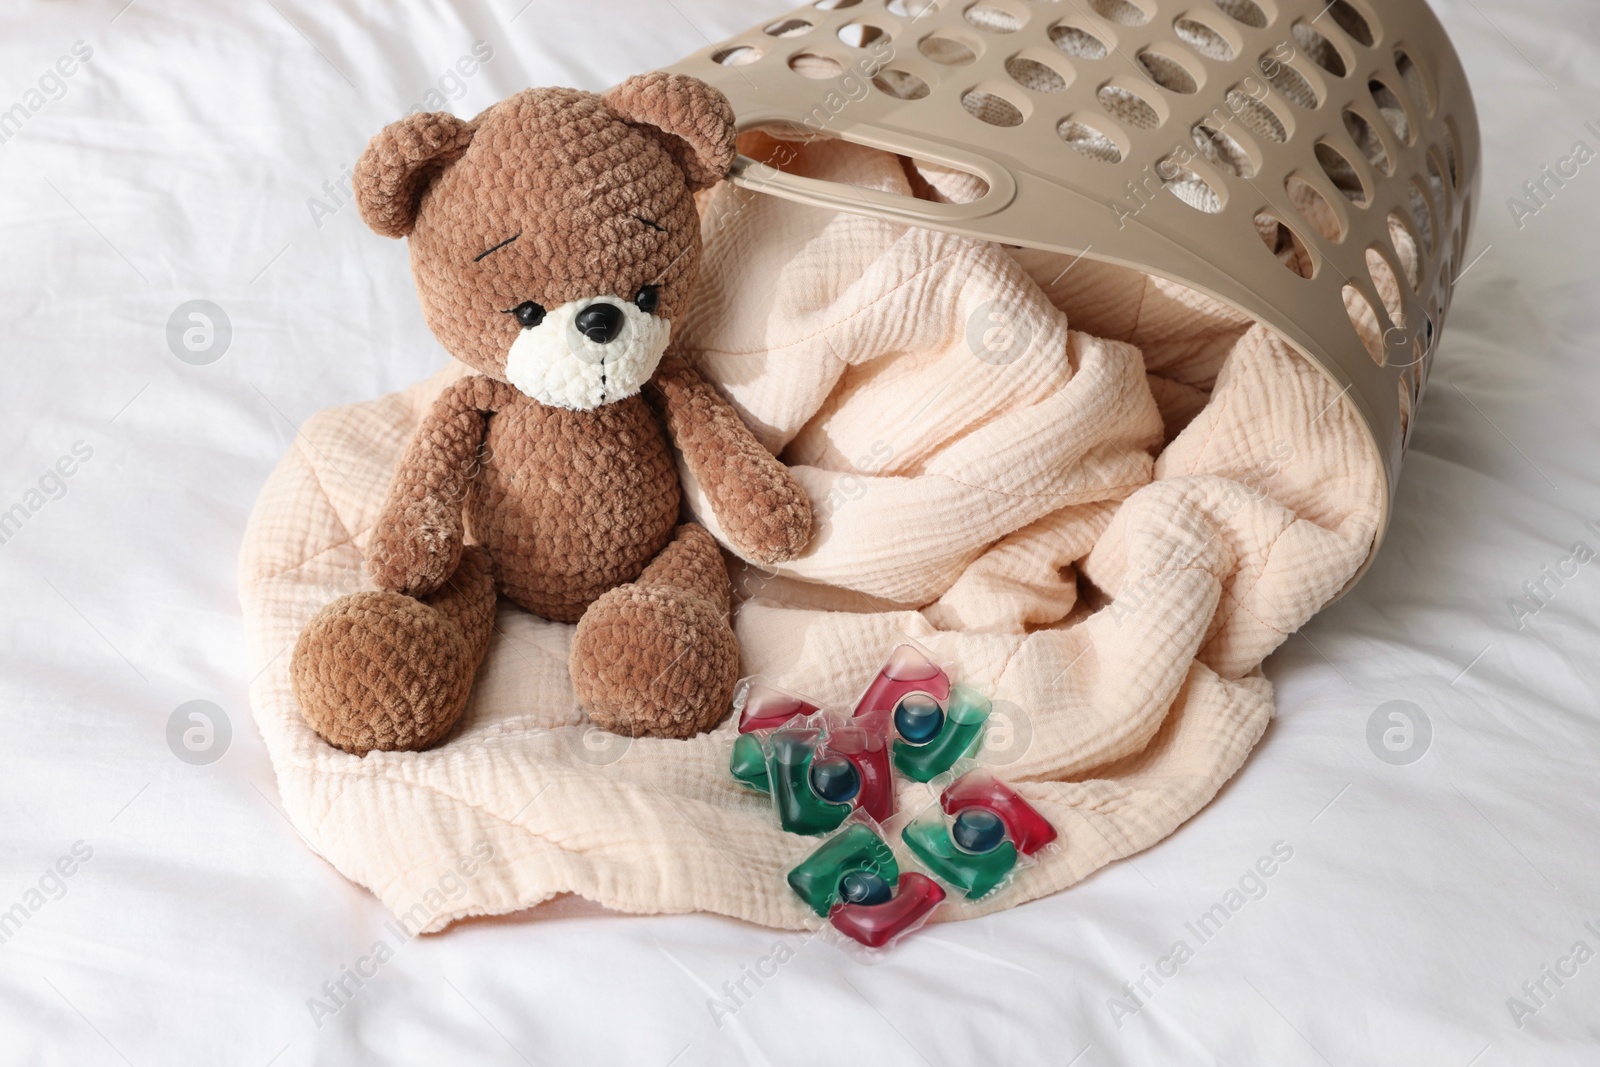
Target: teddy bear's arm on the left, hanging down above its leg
417,543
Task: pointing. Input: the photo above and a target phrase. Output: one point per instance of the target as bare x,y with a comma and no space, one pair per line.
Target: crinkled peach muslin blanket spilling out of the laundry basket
1097,497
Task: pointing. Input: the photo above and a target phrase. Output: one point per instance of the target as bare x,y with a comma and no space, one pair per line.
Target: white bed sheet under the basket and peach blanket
178,164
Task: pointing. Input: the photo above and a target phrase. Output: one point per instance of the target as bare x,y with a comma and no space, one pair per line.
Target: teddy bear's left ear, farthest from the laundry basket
401,162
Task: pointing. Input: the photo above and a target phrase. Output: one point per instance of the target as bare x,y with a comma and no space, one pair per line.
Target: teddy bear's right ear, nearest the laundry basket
692,119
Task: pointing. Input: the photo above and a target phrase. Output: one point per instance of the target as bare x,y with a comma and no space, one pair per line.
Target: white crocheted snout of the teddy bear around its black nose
561,367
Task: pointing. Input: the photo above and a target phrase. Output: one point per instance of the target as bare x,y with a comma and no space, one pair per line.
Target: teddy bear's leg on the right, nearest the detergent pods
657,657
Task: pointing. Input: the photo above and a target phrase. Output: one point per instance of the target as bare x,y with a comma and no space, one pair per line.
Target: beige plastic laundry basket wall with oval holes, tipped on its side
1311,164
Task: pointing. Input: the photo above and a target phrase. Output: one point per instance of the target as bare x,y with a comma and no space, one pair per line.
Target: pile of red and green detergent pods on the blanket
834,777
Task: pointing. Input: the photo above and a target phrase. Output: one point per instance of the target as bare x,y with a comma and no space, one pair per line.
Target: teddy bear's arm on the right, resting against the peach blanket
759,505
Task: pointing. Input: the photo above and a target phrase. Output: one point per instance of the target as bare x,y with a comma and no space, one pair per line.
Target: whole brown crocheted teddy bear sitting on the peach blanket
554,241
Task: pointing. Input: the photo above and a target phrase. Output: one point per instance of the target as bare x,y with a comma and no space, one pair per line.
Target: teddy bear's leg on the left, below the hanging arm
386,671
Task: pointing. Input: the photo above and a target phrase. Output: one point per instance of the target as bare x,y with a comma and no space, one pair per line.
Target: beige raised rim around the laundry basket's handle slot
844,198
